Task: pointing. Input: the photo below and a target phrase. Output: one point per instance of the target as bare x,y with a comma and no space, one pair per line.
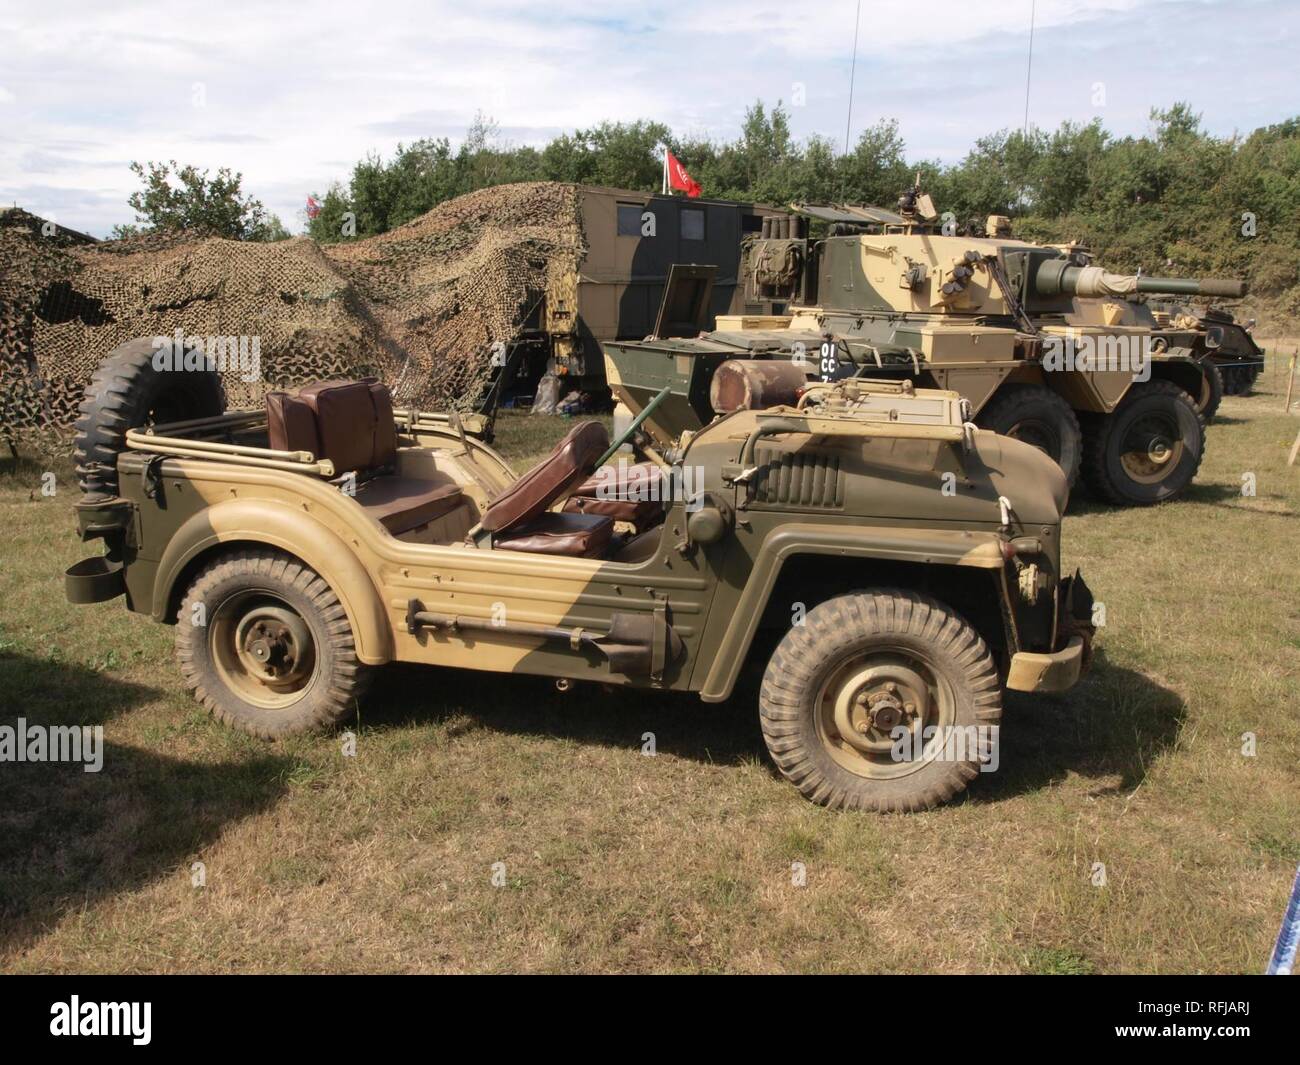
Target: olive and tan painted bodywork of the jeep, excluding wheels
887,479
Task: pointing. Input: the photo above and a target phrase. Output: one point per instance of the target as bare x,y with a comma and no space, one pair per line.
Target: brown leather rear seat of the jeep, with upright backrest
350,423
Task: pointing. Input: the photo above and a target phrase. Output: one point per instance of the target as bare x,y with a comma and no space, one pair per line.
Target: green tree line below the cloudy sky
1176,200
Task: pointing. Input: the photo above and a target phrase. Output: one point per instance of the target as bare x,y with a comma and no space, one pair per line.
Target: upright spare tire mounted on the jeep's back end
128,392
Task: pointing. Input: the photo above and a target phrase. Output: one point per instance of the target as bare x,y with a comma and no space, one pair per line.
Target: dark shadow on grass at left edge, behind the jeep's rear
71,839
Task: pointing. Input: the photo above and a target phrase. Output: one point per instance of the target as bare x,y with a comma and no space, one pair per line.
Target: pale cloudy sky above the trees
293,99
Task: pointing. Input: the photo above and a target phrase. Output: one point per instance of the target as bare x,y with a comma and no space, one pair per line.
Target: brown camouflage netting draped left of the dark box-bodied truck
419,308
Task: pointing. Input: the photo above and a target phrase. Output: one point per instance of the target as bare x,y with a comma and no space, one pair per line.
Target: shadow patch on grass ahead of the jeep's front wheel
1111,726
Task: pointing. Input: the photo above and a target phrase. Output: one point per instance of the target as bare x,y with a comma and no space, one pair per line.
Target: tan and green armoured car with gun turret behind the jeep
1045,345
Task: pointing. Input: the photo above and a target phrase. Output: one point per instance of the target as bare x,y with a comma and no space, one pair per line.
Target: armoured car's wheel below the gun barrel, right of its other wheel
1149,449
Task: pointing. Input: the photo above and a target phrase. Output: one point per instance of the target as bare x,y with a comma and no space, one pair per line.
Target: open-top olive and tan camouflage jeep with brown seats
895,566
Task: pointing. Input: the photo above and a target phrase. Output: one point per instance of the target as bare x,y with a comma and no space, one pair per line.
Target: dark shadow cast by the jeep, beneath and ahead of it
1108,728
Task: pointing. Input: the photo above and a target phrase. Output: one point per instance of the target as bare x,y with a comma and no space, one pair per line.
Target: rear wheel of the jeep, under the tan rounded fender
266,646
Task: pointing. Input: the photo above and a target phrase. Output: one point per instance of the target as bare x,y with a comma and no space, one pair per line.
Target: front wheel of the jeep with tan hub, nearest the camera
882,700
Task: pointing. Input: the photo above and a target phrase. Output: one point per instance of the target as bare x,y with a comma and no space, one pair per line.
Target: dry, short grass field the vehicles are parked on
683,861
